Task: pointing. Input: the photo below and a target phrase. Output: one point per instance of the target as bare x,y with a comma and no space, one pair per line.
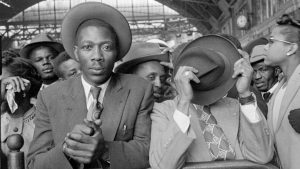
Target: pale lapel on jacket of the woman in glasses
291,90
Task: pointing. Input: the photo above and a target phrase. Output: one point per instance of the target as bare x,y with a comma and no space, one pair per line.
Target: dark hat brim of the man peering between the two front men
126,66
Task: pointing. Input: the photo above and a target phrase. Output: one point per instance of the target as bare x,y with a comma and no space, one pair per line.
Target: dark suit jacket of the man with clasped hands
125,125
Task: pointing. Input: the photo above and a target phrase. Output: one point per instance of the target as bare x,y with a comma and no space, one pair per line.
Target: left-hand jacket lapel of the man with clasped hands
75,102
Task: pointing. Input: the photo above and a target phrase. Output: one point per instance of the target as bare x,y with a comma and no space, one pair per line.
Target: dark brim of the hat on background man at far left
28,48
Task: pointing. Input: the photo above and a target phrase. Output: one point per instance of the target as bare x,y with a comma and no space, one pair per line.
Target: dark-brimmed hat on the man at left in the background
39,40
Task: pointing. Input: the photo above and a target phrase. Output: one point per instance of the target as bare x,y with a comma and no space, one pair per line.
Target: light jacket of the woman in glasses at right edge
286,139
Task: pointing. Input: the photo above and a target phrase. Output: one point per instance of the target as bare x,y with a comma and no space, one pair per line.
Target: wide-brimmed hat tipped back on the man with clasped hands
95,10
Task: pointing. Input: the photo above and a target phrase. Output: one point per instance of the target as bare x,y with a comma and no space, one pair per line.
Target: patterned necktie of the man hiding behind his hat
218,144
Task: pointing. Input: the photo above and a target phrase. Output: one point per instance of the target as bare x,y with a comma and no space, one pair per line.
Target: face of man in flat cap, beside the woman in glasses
264,77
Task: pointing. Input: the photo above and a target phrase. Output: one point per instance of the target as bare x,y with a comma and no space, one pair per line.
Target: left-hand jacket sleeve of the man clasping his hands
43,153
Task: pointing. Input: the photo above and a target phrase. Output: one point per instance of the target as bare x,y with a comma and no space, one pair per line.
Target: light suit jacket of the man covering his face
170,148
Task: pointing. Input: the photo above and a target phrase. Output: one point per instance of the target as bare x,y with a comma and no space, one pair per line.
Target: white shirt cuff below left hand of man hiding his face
182,120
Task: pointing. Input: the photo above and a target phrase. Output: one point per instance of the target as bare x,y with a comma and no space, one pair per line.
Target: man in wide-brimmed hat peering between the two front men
143,59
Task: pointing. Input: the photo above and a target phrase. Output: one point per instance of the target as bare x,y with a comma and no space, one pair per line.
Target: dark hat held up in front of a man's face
214,57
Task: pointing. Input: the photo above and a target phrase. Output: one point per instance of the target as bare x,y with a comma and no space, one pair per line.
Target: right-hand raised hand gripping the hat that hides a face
243,72
